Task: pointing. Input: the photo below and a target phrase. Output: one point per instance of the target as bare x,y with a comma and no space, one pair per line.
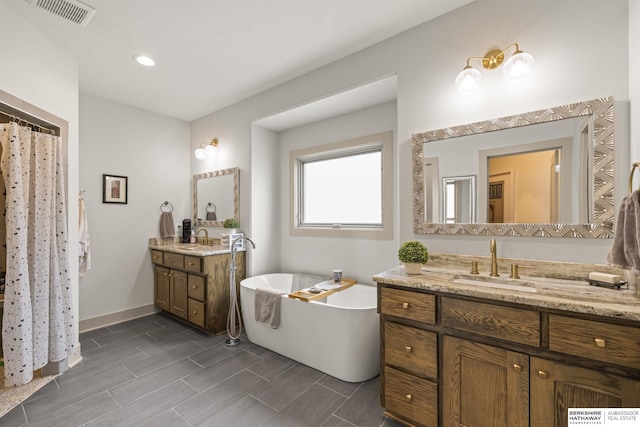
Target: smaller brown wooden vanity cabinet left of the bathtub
195,288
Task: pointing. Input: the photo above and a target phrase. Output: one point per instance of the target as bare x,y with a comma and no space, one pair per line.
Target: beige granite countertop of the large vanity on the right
576,296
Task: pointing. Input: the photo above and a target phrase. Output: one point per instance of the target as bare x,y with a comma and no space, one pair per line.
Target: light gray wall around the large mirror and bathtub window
426,60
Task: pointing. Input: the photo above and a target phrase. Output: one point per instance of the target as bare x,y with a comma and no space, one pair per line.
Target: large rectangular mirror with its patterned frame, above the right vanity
562,188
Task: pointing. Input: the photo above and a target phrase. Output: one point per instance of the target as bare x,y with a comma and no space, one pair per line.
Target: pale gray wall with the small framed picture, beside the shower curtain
153,152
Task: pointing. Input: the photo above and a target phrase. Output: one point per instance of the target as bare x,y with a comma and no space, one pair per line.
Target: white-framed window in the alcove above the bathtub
343,188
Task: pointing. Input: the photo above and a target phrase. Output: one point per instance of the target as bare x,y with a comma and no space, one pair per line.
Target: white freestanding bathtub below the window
340,337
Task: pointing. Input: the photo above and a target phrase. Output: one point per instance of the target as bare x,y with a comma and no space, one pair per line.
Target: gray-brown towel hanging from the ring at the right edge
625,250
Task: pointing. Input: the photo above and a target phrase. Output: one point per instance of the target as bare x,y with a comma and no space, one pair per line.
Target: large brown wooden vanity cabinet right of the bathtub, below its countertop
471,362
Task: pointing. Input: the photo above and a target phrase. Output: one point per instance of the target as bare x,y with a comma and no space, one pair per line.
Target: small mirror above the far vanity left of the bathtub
216,197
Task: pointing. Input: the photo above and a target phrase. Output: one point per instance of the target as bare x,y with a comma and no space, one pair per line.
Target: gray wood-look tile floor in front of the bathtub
155,371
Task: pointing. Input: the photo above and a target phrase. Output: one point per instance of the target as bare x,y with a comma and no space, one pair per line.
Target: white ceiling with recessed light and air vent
213,53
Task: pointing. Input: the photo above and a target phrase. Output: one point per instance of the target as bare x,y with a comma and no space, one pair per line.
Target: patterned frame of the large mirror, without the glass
600,109
